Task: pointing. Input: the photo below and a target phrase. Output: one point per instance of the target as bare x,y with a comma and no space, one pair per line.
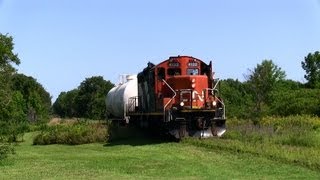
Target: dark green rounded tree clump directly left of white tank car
87,101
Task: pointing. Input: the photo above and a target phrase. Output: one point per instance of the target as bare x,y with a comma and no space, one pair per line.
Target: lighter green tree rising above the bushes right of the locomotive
262,80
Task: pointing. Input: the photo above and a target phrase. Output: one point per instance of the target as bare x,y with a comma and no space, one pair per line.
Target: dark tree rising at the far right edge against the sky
311,65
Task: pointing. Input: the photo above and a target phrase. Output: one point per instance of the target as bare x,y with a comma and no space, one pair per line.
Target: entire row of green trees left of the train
24,101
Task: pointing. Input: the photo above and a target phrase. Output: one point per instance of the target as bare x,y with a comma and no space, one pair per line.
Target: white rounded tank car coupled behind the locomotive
118,97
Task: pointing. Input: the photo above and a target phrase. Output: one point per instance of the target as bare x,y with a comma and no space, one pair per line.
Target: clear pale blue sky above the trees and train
62,42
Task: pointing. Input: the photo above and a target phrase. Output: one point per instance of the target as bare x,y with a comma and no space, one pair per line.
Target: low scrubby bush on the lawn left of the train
72,134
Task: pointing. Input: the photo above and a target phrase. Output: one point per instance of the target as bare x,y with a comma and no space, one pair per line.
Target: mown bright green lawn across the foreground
142,159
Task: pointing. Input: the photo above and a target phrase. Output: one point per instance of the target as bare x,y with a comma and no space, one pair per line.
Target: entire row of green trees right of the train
266,92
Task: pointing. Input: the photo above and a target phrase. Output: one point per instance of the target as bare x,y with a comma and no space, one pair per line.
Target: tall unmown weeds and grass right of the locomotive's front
293,139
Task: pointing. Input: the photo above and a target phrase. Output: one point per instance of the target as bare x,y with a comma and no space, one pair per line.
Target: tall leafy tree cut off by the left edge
12,117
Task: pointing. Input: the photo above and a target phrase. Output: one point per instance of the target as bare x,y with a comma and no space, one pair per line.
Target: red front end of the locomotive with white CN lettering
187,95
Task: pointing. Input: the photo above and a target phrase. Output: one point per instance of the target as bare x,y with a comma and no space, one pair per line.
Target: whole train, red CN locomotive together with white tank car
179,96
